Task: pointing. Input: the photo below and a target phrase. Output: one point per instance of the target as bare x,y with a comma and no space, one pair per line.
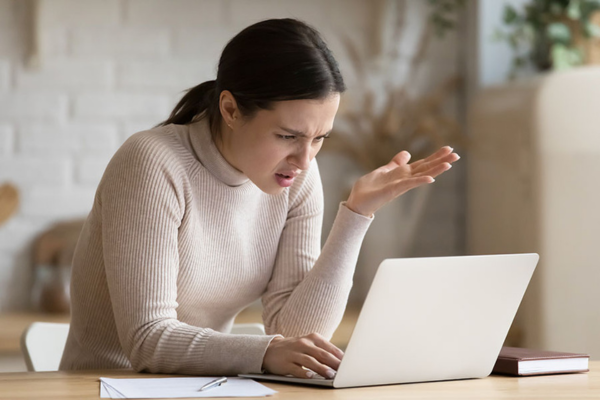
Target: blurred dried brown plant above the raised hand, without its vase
419,124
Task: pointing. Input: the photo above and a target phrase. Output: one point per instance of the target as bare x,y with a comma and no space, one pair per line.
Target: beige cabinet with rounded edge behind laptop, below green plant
533,186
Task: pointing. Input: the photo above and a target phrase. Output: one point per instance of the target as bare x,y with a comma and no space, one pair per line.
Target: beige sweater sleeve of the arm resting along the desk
142,204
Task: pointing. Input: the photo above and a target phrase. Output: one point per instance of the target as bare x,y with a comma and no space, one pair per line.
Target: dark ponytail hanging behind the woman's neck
197,103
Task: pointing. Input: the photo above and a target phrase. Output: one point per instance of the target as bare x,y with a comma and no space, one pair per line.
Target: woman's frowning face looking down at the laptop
274,146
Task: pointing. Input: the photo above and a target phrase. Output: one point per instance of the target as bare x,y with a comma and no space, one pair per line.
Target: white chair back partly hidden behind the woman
42,343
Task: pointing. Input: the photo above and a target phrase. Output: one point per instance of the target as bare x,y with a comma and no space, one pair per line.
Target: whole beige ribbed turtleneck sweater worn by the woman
178,242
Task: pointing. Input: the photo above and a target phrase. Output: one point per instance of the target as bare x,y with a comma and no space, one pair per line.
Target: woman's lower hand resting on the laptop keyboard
287,356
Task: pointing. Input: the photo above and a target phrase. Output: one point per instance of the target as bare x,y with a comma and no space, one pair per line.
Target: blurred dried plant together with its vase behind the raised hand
389,117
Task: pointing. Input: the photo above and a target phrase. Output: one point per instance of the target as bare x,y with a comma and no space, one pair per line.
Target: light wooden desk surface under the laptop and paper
85,385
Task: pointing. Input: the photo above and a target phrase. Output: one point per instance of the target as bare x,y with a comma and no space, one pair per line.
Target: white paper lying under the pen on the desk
155,388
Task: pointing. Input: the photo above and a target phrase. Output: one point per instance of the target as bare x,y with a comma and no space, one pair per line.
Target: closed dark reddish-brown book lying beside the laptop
525,362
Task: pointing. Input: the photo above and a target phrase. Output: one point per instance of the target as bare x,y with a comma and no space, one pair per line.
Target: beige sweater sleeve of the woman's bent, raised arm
309,289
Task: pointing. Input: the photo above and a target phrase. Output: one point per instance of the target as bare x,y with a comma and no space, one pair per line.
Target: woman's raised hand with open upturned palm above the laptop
384,184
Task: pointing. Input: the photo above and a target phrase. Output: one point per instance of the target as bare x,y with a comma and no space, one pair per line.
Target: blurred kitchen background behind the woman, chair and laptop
511,85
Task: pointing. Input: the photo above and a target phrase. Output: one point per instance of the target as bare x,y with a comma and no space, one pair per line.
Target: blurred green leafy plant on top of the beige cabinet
550,34
